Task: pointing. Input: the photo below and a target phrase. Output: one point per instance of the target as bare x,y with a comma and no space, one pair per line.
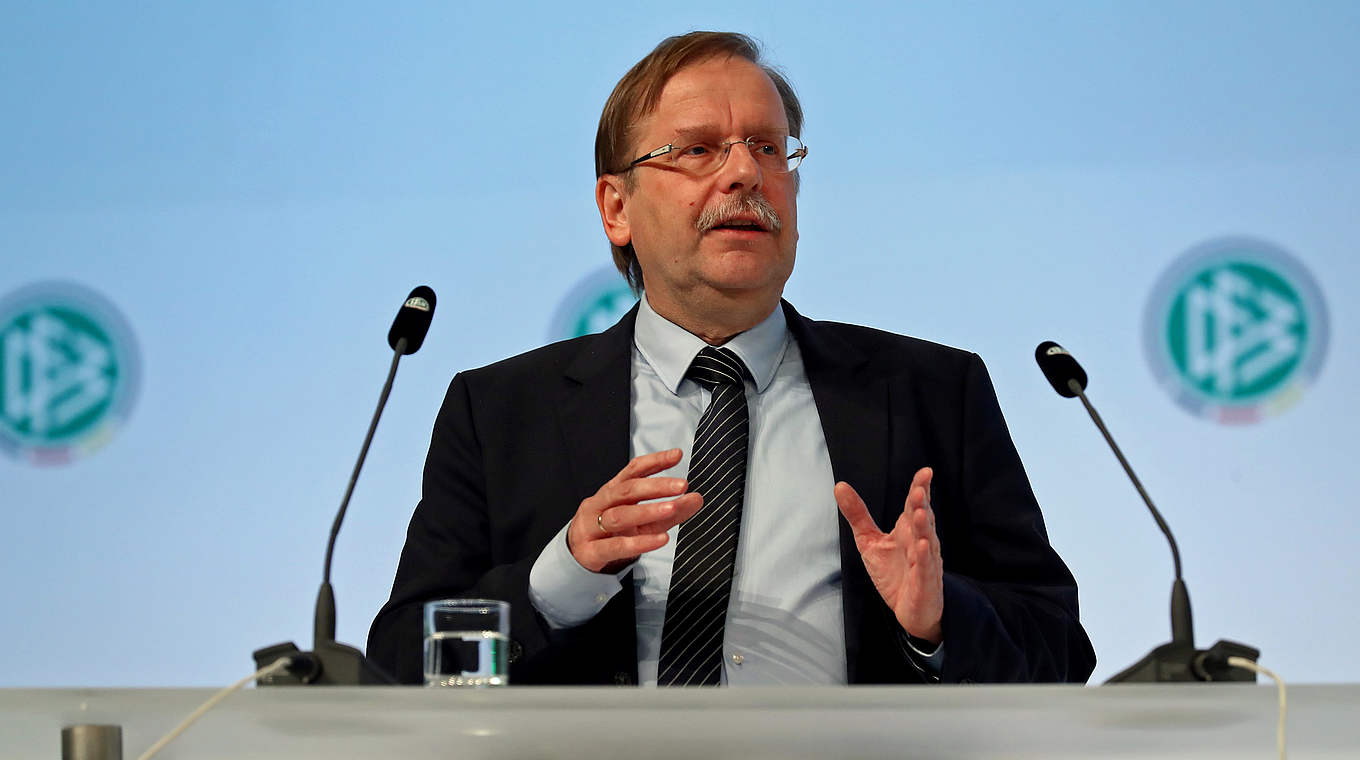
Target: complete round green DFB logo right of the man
1237,330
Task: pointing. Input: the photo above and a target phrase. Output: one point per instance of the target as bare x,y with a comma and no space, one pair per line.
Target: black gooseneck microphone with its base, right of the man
1177,660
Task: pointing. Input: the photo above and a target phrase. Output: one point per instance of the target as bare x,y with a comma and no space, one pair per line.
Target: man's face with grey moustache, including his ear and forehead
685,266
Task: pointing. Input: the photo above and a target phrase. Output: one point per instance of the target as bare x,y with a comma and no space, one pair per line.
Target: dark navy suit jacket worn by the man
522,443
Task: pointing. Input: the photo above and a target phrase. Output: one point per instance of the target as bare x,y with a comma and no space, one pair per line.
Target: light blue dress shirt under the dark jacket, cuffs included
785,622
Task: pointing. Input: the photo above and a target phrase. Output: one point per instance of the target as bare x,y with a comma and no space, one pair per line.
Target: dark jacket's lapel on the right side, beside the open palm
853,406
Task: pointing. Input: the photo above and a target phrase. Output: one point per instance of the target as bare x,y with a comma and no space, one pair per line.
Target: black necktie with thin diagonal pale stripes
707,549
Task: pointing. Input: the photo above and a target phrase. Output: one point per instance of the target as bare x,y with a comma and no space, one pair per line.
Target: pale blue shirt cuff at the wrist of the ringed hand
565,593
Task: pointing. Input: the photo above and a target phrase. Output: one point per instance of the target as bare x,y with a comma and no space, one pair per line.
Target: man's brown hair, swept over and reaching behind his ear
640,92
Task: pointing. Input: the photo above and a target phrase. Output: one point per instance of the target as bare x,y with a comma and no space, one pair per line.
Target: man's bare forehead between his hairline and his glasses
728,94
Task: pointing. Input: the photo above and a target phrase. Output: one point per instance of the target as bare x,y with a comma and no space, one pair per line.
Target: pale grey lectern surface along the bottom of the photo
605,724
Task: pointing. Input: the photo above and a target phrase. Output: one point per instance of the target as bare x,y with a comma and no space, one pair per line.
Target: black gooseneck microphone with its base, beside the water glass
333,663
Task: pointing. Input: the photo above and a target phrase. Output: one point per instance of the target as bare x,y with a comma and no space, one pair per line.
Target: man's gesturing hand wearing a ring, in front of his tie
611,530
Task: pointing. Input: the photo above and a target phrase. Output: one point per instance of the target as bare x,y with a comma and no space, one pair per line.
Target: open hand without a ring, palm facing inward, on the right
905,565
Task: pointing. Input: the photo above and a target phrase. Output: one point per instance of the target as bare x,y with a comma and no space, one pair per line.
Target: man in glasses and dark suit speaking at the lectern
809,502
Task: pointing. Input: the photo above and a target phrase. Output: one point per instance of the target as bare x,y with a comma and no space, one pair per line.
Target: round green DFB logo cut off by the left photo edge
69,373
